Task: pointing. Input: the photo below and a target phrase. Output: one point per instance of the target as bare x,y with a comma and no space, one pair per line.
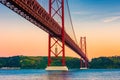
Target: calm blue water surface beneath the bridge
90,74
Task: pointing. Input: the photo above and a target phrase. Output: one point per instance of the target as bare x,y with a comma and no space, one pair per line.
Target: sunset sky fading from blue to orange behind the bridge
98,20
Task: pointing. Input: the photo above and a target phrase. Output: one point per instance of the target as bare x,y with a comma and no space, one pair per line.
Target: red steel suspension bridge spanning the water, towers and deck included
54,22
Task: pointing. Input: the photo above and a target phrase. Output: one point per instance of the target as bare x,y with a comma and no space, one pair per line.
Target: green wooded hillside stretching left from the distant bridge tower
29,62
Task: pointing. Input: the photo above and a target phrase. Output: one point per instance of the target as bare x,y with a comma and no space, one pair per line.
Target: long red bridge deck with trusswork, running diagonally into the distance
33,12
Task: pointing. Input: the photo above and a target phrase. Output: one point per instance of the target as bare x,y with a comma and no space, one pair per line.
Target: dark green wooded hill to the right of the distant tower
105,62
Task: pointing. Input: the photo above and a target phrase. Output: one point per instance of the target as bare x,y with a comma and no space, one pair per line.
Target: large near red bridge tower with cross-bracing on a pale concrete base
56,9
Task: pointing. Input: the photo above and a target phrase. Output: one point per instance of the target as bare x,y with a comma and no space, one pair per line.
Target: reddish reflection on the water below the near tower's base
58,75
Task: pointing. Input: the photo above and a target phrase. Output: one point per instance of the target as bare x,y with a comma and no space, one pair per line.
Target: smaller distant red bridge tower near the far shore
83,63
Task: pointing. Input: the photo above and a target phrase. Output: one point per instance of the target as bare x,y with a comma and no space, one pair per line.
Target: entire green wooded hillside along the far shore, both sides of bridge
30,62
